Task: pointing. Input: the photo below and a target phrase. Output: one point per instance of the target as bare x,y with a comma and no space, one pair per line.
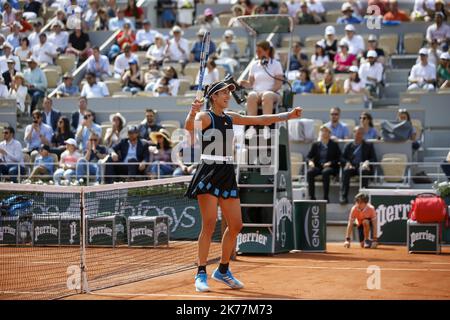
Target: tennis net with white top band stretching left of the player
58,241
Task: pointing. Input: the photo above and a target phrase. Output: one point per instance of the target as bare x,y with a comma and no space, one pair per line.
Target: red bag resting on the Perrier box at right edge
429,208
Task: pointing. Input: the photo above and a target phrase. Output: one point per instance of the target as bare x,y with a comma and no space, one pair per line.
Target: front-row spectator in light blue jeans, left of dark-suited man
89,162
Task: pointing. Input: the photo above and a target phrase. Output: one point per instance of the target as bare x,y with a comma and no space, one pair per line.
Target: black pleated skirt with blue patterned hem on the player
217,179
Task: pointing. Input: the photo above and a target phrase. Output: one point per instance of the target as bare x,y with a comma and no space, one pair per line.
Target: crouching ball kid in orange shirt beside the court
366,218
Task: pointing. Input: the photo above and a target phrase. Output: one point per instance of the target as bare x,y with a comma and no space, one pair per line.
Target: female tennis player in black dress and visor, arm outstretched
214,182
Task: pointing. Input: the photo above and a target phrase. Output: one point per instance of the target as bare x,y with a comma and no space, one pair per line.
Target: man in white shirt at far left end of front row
11,156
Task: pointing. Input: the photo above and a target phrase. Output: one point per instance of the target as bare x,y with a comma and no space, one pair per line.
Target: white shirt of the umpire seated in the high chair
263,82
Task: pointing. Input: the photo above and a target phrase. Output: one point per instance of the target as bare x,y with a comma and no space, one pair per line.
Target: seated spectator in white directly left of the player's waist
188,156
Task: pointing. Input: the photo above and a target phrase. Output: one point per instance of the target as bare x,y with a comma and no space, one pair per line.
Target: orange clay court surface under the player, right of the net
338,274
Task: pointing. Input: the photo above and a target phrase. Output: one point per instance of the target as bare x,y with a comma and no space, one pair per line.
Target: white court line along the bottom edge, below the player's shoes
199,296
